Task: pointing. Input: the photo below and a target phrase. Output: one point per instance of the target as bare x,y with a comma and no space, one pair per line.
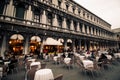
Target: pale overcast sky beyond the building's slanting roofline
108,10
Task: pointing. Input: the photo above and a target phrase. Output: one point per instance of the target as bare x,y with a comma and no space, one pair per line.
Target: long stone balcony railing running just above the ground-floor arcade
18,21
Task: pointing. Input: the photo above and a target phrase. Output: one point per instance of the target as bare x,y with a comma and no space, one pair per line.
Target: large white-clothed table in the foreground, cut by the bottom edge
44,74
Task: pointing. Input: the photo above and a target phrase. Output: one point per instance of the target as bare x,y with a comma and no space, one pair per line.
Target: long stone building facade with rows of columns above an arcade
59,19
